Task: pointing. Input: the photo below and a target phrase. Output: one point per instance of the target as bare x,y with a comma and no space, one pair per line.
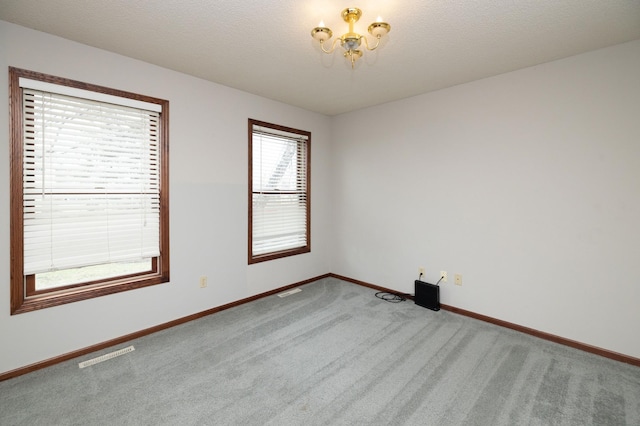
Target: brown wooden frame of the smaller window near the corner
288,252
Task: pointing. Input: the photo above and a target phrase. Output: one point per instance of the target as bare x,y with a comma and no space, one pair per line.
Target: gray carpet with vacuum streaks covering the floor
332,354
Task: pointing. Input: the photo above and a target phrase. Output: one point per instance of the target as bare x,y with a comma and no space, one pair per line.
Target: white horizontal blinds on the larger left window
91,182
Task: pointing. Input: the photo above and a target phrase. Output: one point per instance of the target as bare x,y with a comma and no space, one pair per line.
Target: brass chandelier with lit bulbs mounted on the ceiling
351,41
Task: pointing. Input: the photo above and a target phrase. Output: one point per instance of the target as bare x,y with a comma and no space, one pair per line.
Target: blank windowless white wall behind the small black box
527,184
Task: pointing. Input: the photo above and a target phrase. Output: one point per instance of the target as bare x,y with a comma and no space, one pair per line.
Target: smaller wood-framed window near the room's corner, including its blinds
279,198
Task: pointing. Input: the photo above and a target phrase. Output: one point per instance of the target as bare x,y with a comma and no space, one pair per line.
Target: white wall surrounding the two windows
208,200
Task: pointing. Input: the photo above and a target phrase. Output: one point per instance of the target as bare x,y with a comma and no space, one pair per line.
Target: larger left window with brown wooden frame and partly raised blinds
89,200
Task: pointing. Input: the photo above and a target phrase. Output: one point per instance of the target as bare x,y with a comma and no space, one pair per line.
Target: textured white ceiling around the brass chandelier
264,47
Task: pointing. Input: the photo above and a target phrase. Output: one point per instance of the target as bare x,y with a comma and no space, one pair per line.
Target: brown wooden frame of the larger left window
24,296
